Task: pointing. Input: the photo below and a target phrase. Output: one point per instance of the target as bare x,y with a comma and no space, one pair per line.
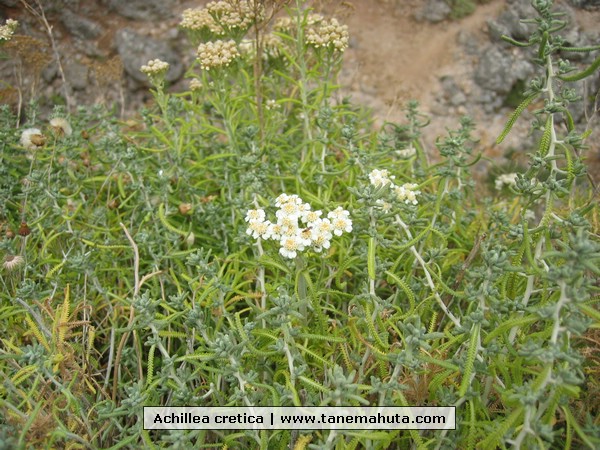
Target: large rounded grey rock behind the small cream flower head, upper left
136,50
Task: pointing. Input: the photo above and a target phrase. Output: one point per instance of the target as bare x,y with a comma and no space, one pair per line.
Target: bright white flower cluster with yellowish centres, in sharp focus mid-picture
315,232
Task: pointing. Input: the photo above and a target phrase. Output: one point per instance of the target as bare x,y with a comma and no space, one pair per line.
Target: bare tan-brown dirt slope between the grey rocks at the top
397,58
